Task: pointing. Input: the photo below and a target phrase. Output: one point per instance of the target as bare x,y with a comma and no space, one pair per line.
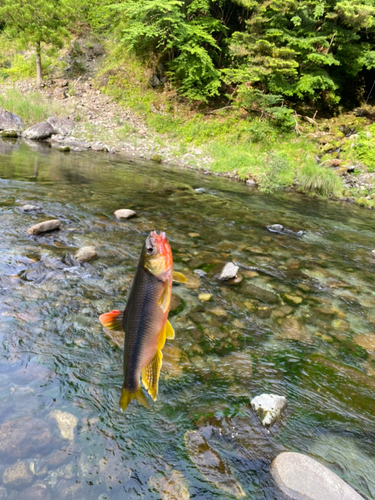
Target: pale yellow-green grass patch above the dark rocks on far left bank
31,108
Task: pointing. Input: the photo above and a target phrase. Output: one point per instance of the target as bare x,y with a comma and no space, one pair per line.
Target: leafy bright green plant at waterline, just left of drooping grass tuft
276,173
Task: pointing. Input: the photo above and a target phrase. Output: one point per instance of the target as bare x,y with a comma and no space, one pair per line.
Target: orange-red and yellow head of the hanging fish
157,255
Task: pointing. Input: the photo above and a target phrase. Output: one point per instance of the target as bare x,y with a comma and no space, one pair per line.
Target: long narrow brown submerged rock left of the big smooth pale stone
211,465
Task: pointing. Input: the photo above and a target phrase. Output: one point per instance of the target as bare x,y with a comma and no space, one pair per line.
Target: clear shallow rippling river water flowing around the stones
303,327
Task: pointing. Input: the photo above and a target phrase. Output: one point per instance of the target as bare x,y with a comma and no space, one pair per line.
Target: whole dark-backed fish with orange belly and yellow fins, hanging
145,320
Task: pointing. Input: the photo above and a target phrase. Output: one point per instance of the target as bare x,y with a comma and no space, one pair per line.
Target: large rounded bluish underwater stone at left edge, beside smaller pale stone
24,437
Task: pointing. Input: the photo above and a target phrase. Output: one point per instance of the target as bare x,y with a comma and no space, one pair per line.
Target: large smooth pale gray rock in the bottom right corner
302,478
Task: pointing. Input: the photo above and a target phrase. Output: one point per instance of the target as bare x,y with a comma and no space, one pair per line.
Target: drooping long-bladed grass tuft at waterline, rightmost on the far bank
318,180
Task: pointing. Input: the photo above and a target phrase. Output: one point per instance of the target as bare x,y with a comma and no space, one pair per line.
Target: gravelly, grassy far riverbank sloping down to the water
318,158
